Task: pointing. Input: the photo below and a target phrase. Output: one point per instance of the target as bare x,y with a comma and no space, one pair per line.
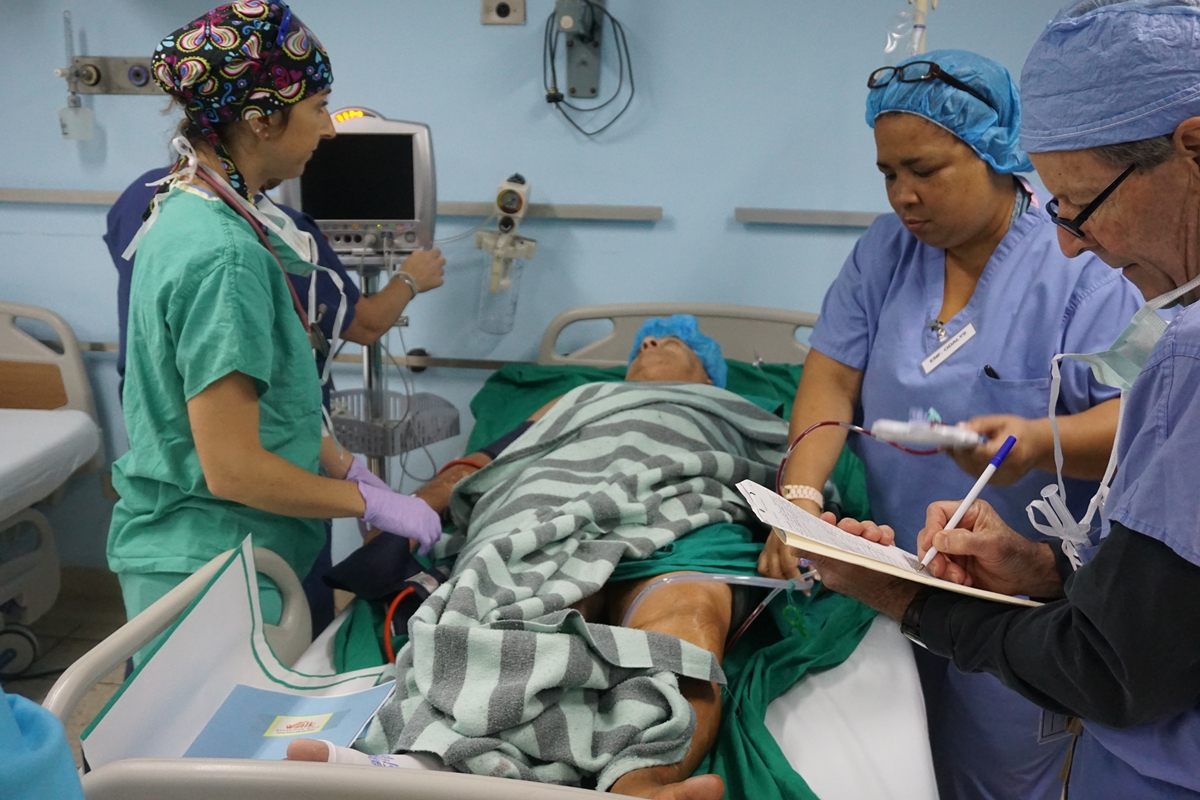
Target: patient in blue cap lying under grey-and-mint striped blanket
515,666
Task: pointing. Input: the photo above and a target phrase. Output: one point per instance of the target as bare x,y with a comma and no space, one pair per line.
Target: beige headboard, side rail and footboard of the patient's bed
745,333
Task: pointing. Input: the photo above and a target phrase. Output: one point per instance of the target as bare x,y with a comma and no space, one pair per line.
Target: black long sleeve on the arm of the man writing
1121,649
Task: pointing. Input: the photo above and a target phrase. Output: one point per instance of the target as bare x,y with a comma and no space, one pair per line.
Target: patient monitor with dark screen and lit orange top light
373,189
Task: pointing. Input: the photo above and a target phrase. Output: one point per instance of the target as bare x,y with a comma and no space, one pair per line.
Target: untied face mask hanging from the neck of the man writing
1118,368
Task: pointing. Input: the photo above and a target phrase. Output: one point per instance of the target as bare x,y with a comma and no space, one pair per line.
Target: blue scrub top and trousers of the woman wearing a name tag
1031,304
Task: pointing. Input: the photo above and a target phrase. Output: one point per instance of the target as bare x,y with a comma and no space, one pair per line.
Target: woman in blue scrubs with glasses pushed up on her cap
957,303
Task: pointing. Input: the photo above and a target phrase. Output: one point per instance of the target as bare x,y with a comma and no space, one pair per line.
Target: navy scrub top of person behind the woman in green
127,216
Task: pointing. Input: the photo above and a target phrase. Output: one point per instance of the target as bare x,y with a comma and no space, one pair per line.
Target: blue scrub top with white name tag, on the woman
1031,304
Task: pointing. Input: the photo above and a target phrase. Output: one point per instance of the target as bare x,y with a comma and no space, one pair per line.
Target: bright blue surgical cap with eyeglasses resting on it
992,133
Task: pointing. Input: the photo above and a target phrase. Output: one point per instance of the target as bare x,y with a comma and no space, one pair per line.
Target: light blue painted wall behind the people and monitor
754,104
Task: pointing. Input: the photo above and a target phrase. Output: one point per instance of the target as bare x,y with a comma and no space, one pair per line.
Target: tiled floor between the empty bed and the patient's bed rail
88,610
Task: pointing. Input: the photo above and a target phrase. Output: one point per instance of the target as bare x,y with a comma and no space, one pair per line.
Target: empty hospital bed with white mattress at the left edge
47,435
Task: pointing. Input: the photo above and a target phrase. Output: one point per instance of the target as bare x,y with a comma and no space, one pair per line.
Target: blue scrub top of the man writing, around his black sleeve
1157,494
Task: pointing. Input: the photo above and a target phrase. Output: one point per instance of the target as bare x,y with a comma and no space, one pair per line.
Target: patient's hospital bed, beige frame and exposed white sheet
855,731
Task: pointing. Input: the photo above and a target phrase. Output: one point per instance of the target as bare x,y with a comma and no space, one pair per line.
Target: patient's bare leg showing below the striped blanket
698,613
